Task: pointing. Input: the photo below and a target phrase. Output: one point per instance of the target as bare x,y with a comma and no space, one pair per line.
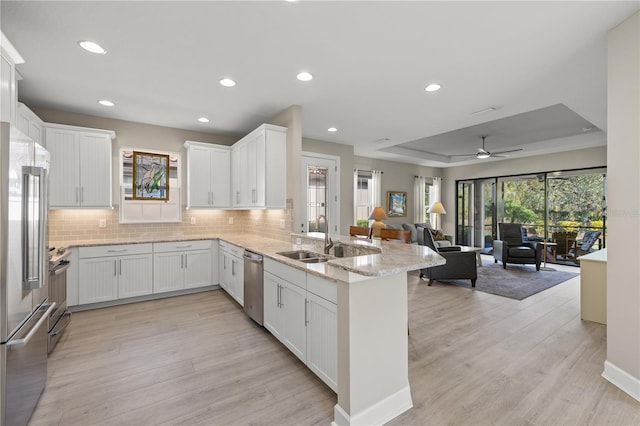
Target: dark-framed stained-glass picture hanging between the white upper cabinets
150,176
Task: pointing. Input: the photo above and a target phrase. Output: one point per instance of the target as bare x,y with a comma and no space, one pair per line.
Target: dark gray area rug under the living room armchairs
516,282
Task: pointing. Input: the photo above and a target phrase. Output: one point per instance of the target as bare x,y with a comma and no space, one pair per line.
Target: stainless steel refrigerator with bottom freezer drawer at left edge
24,307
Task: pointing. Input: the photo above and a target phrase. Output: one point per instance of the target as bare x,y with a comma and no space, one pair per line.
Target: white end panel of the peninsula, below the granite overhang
373,365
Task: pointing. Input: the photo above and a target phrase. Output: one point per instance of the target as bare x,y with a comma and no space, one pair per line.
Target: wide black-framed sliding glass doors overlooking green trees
545,204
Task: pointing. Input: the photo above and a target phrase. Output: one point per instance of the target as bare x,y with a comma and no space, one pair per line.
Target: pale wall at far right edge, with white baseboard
623,269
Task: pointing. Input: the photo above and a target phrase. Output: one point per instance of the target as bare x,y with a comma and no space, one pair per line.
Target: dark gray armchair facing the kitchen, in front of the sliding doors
512,249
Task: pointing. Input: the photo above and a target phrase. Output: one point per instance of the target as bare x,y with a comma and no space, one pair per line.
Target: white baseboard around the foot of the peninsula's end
379,413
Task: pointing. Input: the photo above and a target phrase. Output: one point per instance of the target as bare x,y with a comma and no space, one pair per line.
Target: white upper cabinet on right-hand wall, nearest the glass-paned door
259,169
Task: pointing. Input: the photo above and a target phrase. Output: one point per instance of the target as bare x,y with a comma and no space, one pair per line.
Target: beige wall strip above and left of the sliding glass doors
590,157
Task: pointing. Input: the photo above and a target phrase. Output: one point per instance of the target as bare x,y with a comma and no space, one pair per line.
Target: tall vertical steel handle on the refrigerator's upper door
34,219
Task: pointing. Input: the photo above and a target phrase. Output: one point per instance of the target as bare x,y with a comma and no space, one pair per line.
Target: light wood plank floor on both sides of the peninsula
474,359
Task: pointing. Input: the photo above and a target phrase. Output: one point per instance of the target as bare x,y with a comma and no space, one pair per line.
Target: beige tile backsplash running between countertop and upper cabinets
79,224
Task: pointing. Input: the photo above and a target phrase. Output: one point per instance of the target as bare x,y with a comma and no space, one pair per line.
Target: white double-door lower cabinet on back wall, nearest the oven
113,272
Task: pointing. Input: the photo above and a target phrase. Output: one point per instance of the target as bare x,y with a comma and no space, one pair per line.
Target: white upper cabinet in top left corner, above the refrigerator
9,57
